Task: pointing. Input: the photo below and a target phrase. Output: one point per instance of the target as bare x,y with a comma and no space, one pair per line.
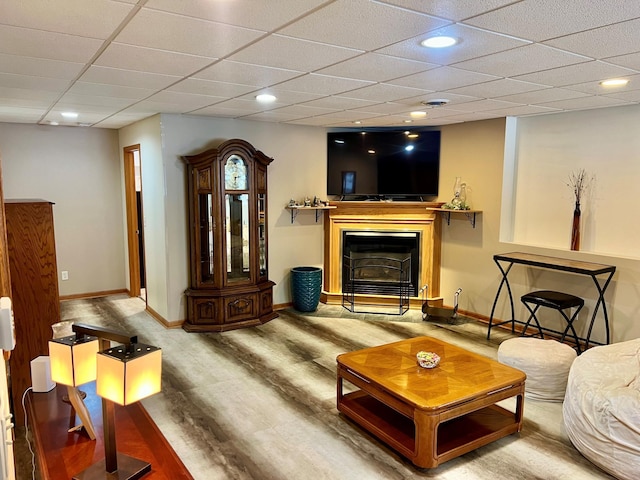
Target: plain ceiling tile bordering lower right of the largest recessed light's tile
522,60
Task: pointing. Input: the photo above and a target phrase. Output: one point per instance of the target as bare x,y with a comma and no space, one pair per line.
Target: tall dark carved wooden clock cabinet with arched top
227,196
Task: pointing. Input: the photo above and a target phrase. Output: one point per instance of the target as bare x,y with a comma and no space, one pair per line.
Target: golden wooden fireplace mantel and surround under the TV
386,217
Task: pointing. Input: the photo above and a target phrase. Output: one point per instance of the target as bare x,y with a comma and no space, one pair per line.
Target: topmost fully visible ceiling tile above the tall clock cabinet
176,33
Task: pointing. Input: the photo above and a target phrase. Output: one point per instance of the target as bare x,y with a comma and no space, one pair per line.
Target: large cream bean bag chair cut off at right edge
602,407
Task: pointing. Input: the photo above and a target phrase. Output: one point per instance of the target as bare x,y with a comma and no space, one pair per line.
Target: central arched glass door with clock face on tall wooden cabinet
237,220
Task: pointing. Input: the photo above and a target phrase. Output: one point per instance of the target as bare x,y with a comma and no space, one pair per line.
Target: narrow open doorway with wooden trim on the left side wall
135,231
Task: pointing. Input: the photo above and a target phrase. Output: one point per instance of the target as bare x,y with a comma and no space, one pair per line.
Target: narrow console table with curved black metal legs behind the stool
594,270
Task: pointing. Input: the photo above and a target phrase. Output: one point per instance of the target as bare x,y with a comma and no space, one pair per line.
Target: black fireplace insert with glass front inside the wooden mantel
380,262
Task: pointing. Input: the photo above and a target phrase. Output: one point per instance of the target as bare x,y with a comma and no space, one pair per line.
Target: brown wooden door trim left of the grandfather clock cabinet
132,219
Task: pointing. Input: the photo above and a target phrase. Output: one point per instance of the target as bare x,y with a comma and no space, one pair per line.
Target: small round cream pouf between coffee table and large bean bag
546,363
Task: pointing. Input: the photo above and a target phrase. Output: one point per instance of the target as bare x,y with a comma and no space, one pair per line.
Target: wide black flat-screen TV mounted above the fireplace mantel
383,164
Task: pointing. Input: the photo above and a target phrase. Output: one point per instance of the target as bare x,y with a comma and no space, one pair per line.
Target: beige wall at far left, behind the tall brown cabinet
77,169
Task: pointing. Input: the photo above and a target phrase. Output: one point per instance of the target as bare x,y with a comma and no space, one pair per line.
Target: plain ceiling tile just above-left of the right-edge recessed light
572,74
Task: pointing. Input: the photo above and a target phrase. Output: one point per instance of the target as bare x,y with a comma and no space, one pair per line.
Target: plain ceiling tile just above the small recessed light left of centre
246,74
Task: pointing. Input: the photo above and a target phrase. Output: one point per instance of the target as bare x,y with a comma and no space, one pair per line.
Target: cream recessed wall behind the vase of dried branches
604,142
